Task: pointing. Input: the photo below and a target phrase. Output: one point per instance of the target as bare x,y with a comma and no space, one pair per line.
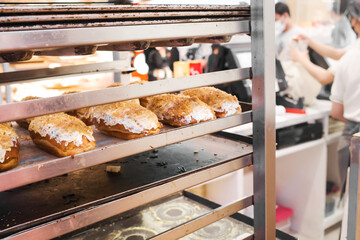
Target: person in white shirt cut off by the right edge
345,93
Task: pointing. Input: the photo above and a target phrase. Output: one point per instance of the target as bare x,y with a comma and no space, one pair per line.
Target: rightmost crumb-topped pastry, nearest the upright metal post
222,103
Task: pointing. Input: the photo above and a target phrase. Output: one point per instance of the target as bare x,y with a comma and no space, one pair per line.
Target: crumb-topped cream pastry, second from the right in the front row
178,109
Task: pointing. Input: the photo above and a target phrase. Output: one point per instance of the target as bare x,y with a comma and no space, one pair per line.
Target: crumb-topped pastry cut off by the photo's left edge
9,147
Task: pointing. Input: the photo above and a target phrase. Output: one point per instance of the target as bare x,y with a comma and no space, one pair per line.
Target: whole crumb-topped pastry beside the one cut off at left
61,134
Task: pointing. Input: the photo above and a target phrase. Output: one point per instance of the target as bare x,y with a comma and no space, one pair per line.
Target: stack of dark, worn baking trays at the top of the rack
13,19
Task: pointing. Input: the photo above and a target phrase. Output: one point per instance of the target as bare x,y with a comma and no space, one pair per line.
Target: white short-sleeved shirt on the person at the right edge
346,86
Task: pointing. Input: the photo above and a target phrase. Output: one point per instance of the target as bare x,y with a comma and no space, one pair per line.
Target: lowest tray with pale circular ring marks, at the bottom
159,216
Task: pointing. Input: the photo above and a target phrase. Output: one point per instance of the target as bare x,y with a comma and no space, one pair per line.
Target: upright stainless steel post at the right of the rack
263,95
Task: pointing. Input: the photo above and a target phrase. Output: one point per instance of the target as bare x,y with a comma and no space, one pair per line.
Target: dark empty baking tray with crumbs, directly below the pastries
44,201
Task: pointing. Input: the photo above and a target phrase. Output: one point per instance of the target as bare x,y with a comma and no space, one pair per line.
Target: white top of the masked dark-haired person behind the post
283,42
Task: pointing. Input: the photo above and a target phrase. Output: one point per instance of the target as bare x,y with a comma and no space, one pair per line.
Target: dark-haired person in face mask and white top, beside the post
286,31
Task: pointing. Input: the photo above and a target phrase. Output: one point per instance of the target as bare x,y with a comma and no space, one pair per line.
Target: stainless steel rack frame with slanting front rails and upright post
262,115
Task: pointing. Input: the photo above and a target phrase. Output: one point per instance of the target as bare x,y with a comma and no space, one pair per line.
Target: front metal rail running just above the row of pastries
63,103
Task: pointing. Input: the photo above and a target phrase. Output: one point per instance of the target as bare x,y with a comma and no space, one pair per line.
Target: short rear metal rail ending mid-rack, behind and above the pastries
49,73
